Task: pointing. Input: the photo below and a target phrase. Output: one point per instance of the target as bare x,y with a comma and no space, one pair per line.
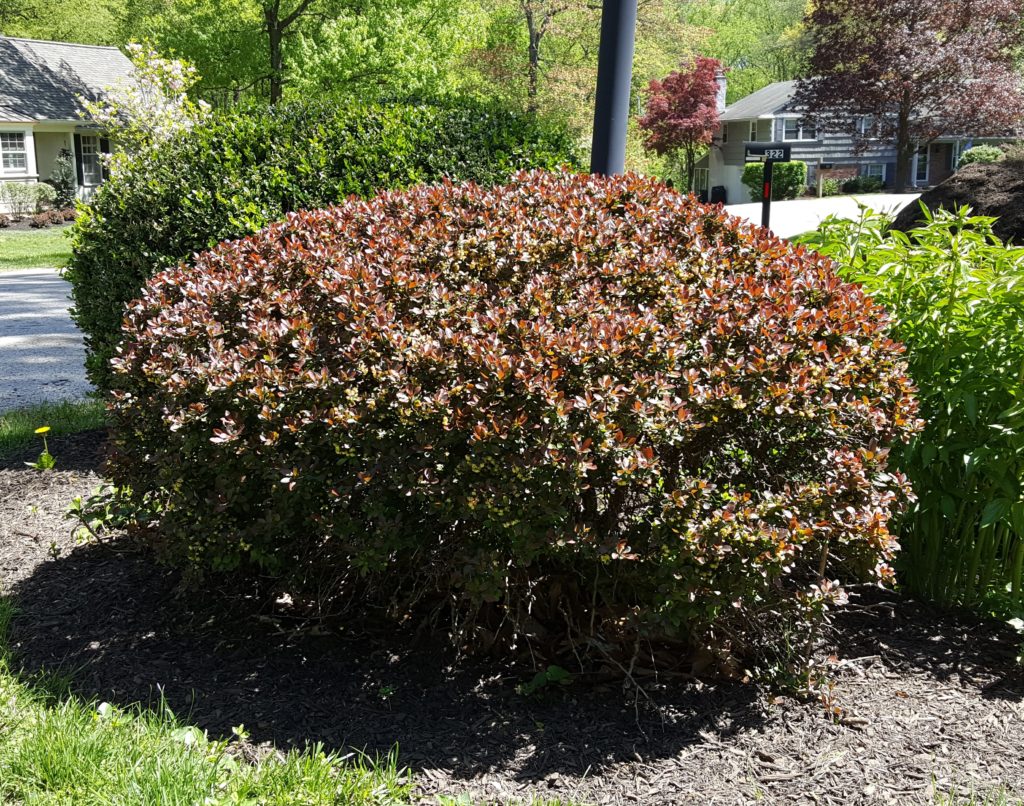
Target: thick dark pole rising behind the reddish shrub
615,76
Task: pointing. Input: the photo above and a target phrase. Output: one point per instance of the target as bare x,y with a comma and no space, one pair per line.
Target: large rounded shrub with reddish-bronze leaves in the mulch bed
588,409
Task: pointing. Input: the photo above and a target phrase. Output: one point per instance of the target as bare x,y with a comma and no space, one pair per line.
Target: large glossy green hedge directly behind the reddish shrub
241,171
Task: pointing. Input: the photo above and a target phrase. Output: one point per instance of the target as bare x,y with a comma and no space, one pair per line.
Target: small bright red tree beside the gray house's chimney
682,112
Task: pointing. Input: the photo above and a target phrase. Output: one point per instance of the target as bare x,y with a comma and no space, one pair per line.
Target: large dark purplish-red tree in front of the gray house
911,71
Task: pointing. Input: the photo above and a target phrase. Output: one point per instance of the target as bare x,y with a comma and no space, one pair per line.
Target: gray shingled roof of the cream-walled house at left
41,80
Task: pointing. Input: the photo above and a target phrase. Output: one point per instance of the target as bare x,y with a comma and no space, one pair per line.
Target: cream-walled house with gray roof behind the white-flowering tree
40,83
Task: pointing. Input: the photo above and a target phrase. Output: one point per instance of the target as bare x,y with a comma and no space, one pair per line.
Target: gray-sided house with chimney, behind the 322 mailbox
769,115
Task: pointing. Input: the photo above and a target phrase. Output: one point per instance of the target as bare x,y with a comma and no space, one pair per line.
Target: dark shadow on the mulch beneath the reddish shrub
121,627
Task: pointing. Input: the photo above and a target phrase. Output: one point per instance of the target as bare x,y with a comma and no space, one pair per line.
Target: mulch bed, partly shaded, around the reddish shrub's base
928,701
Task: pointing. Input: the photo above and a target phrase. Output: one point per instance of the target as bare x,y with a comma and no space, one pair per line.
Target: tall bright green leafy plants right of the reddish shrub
958,299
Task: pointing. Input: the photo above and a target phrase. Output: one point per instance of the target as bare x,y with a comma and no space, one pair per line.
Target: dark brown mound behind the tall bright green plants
996,189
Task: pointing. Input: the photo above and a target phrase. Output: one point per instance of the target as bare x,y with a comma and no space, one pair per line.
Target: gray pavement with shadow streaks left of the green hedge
41,352
